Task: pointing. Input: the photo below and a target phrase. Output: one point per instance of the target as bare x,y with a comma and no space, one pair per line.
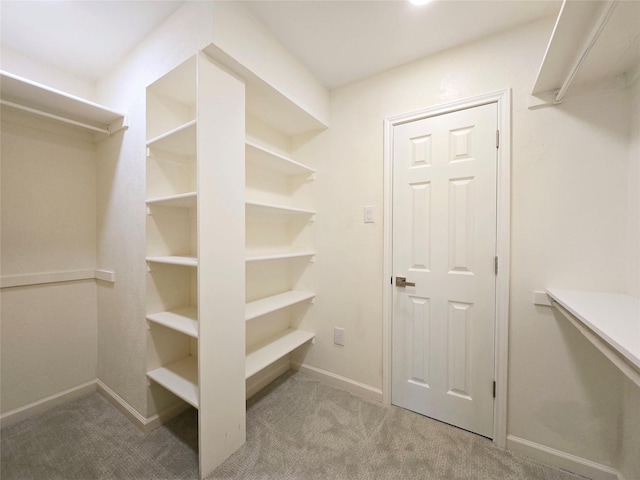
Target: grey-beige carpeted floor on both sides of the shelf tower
297,428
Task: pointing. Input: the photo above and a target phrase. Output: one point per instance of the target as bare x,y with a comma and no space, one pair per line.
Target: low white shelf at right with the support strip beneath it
610,321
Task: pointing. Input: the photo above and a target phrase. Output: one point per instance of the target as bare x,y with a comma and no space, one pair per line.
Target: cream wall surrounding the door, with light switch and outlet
569,223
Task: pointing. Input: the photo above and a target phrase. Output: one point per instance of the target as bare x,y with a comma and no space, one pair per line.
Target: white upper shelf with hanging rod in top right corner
592,43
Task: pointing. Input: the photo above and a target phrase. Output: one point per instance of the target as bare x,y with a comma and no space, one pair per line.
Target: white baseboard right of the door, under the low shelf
562,460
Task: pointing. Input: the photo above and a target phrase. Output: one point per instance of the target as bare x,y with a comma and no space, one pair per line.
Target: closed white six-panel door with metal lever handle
444,241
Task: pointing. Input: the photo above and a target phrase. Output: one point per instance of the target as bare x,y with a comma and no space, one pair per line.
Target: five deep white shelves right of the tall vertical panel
275,185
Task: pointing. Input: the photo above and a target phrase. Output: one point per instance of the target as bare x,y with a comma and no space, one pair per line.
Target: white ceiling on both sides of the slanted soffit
338,41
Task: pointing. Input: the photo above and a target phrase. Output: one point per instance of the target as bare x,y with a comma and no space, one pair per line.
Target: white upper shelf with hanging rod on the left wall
23,94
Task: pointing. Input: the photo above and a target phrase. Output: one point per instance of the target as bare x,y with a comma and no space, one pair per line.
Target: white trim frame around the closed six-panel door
503,99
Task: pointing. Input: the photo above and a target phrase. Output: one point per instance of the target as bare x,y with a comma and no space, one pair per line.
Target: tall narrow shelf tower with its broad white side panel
195,281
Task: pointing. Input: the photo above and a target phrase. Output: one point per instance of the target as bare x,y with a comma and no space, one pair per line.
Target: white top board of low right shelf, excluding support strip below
614,317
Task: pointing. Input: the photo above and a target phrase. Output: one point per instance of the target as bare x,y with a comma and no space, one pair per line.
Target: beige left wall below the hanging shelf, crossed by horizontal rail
48,225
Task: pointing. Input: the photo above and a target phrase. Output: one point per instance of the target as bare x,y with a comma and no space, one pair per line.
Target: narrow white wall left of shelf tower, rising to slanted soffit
121,204
